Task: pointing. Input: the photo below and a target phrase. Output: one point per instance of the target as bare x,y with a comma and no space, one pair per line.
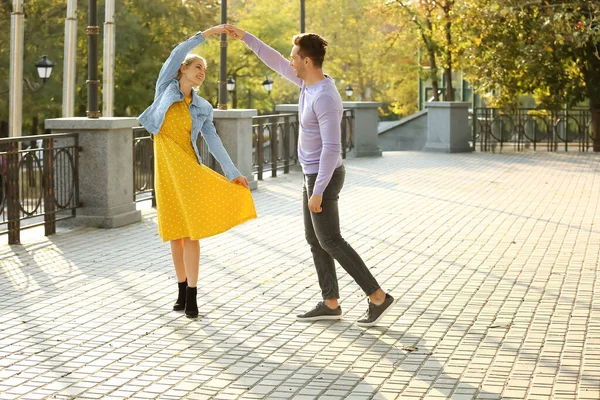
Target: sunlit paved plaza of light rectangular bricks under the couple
493,257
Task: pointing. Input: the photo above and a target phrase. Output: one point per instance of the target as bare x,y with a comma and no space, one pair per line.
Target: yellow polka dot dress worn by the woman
192,200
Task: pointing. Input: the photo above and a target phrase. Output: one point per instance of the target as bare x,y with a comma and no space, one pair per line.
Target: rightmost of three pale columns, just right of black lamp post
108,69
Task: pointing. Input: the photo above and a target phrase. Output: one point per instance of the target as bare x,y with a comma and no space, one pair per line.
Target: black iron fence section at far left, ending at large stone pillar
39,182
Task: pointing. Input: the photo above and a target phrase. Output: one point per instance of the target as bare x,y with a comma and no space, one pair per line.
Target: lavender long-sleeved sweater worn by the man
320,112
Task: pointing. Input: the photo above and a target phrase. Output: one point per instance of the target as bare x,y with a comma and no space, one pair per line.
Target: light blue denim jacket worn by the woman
168,92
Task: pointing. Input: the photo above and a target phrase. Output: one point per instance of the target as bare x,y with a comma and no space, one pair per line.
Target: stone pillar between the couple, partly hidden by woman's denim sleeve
235,129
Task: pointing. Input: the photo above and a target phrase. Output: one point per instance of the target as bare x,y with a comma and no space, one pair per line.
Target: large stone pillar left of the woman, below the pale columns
105,170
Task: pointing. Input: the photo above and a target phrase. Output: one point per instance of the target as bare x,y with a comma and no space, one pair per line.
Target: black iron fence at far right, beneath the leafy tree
534,129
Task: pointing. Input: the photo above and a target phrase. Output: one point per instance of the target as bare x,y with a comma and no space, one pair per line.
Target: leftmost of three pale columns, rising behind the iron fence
17,35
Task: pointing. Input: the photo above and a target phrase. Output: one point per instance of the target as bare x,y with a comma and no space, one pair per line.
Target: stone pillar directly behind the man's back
366,120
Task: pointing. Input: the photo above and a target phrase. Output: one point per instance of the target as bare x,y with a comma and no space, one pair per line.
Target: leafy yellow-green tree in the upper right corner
549,48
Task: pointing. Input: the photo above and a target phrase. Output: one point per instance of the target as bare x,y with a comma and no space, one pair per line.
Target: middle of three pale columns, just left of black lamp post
70,60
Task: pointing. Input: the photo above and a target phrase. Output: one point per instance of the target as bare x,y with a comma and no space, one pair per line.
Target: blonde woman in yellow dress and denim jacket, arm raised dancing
193,201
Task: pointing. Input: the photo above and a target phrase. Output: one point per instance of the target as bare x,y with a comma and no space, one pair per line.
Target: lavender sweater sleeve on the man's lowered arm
329,117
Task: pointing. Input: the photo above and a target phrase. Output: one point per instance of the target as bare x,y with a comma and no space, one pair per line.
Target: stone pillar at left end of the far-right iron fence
448,127
